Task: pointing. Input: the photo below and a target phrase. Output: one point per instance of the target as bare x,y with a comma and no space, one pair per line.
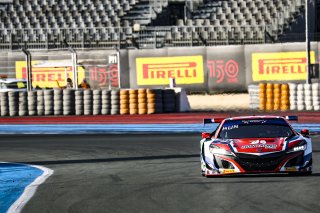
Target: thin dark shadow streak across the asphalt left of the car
103,160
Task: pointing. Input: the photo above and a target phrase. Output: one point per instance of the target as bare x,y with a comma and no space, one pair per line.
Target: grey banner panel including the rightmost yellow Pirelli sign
278,62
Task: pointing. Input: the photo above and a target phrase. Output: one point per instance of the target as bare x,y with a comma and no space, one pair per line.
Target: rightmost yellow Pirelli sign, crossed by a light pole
280,66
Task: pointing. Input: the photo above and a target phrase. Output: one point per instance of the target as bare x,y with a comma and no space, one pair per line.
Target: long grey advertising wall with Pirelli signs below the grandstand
204,69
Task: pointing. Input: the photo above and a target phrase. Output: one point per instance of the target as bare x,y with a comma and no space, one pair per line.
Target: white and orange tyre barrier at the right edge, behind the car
273,97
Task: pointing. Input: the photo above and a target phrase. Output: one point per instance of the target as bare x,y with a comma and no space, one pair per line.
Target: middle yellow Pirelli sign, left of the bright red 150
158,71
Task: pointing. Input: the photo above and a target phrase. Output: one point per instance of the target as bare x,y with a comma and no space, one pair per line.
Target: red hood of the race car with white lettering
258,145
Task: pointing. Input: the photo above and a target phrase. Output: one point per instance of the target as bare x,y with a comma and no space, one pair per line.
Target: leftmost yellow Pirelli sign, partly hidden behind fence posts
47,77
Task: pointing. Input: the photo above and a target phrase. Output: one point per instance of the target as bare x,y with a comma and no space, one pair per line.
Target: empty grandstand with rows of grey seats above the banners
46,24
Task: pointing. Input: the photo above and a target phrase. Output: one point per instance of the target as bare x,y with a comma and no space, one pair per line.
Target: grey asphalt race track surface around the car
149,173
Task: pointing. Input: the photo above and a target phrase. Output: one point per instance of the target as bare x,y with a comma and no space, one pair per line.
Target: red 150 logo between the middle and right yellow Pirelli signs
223,71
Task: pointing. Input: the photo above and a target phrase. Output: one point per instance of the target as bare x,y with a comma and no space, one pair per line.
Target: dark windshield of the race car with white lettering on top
255,128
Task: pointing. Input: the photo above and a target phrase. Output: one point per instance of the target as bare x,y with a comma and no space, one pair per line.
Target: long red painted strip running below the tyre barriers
172,118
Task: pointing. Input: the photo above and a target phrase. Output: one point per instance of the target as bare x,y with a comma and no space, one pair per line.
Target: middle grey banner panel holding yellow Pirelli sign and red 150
201,69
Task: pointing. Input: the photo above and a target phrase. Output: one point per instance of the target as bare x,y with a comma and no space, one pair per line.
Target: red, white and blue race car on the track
253,145
